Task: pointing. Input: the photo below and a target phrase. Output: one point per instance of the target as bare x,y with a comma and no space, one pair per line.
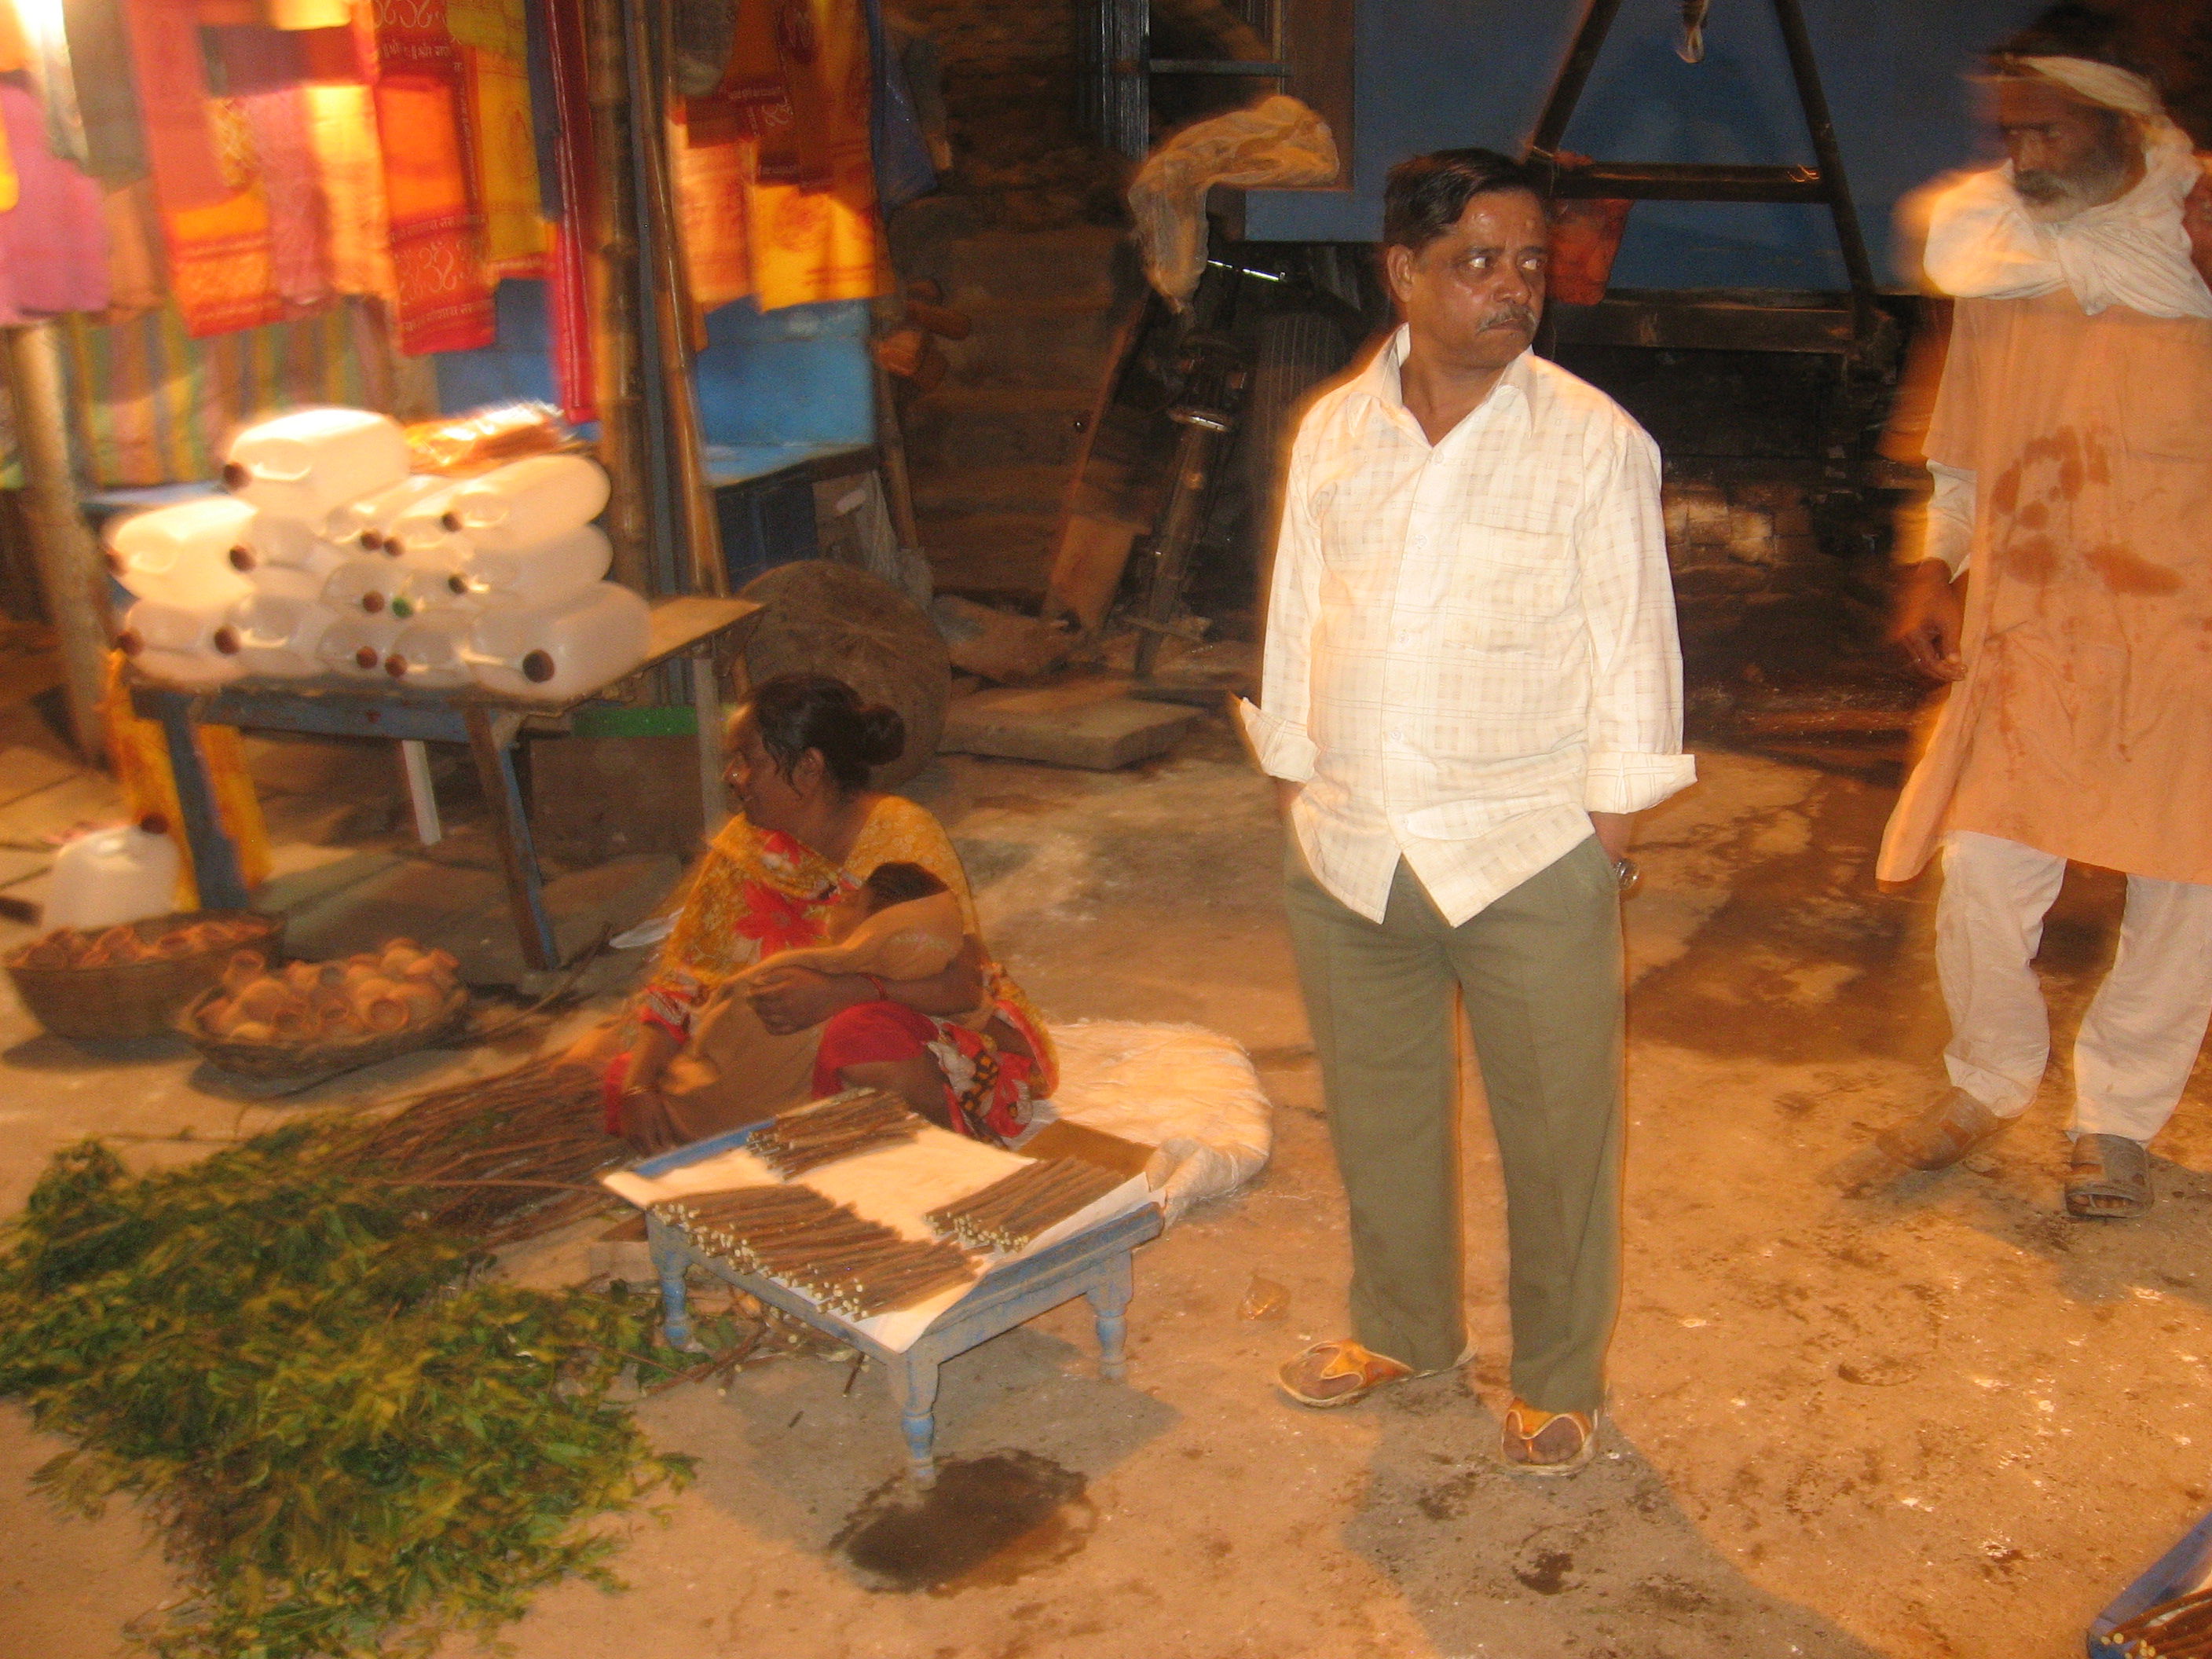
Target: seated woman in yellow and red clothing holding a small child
881,990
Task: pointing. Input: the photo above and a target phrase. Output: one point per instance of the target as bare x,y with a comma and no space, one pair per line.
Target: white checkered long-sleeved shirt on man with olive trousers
1472,645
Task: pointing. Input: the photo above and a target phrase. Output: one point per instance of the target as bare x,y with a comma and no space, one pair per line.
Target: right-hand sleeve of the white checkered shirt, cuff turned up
1629,607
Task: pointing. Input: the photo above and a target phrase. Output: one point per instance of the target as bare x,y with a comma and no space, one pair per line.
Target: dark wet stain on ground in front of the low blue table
988,1521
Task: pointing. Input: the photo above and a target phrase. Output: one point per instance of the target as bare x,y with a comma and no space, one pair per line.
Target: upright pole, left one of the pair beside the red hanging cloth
623,448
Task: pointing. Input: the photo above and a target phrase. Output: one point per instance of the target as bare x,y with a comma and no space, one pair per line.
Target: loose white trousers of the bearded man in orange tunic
2142,1032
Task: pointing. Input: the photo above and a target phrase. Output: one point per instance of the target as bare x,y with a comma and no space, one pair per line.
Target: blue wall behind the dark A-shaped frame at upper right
1437,74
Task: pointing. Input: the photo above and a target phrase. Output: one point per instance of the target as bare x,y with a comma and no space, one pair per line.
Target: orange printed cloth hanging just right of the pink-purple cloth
213,213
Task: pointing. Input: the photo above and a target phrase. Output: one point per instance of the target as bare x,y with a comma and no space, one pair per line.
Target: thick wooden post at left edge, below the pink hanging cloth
70,563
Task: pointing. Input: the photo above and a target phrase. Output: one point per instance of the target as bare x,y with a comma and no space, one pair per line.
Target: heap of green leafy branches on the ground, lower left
353,1441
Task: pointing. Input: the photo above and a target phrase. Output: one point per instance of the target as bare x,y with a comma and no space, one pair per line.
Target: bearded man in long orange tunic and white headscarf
2072,446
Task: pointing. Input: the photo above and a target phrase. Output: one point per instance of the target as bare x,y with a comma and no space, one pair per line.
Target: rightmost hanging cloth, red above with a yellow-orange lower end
824,244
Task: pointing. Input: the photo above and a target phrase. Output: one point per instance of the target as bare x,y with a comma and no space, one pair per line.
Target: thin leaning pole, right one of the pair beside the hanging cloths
674,304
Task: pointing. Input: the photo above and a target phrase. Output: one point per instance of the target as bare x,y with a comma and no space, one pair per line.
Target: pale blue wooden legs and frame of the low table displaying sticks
1094,1264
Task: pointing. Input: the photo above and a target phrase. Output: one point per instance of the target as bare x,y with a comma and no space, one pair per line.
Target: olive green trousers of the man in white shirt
1541,979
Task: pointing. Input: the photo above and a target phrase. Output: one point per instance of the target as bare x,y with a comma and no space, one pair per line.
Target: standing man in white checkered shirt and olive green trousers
1472,685
